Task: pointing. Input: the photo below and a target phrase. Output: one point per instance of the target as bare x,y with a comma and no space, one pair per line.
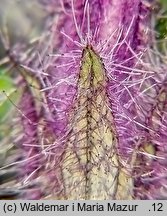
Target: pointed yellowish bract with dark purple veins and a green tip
90,168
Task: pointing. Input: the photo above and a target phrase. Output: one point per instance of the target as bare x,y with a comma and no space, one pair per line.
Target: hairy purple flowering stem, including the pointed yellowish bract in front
103,134
